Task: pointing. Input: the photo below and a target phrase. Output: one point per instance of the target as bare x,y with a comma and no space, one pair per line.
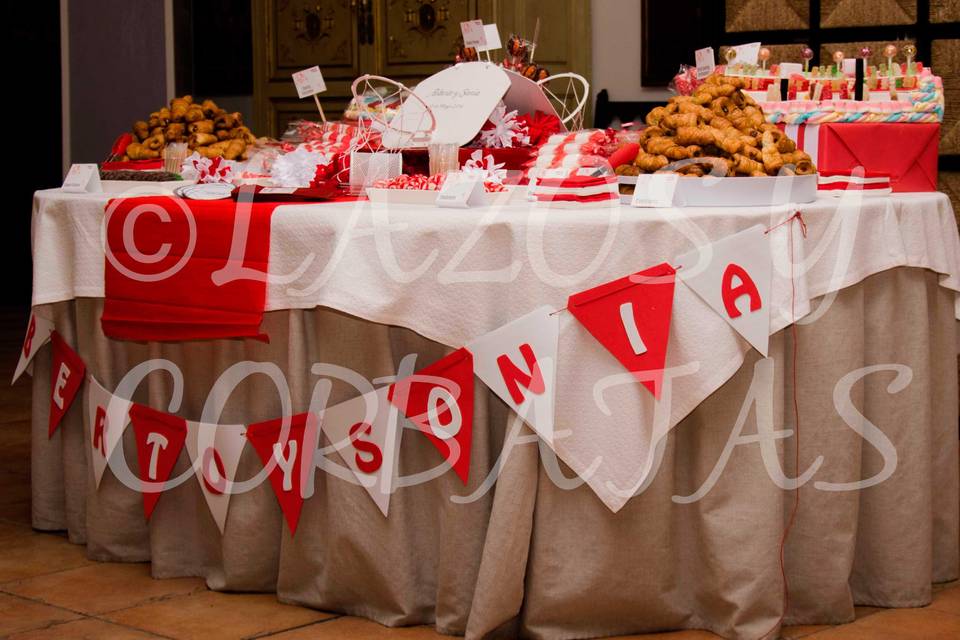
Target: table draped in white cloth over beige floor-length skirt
668,513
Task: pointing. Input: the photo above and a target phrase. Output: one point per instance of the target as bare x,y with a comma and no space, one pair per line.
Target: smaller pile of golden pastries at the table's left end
205,127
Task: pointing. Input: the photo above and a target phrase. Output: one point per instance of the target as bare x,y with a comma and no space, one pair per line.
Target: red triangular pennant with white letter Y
286,447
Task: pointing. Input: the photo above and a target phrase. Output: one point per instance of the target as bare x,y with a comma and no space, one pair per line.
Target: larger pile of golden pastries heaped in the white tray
719,131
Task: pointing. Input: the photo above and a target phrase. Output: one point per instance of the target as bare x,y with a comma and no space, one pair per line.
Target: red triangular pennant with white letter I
630,317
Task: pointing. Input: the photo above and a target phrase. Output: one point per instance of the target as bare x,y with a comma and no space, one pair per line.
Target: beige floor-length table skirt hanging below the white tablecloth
530,558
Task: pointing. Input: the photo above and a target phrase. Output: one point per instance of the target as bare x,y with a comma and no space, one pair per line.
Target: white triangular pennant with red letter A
734,279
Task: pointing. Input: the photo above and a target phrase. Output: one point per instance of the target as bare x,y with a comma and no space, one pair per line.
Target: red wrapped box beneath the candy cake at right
908,152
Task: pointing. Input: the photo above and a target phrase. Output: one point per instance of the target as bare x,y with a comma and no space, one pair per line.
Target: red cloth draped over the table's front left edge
186,304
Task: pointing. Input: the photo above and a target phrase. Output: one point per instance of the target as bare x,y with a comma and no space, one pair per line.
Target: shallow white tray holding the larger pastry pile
740,191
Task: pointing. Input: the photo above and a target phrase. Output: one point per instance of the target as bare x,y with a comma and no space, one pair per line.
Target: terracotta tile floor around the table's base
48,589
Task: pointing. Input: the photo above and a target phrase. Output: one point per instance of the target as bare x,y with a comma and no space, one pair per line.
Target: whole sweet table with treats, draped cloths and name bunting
468,397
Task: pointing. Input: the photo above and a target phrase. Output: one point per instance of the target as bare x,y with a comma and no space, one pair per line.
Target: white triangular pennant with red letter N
518,361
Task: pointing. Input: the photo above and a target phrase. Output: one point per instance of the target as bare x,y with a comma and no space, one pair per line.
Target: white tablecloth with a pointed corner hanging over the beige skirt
453,275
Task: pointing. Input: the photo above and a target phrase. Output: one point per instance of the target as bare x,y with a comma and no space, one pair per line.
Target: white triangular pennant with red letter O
215,451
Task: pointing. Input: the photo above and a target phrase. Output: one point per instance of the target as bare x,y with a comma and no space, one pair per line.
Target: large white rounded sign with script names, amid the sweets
461,97
